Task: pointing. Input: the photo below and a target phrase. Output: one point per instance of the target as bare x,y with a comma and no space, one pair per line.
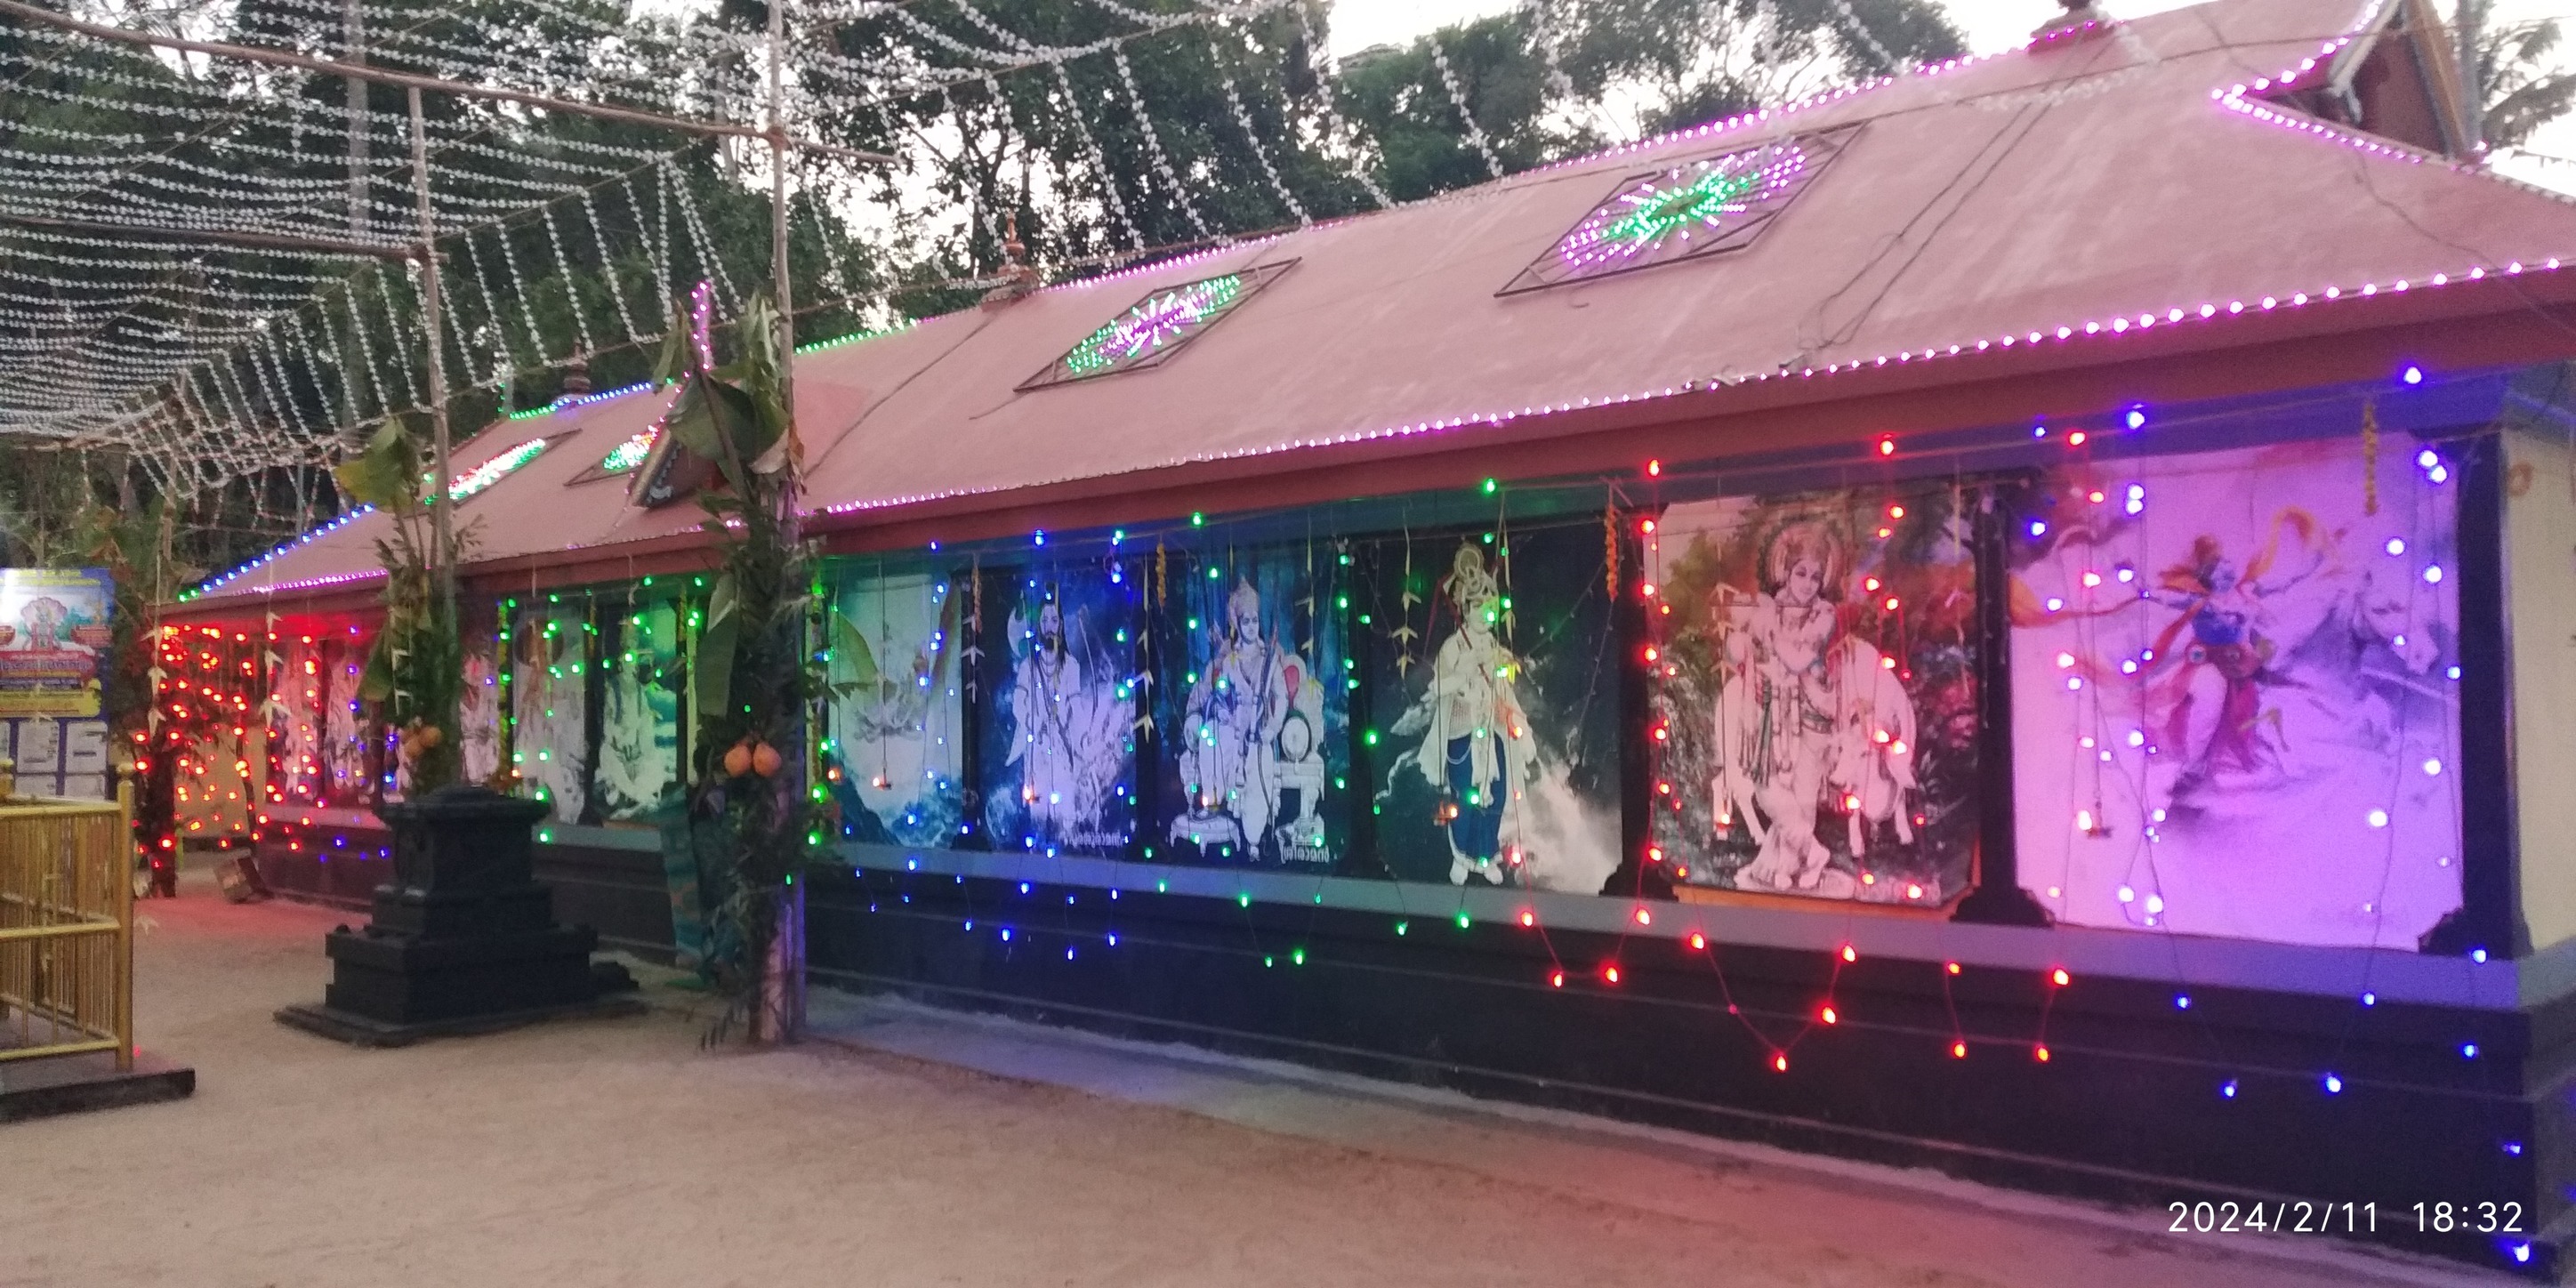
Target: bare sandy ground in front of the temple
620,1153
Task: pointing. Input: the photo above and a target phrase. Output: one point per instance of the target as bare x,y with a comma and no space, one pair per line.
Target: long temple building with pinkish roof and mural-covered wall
2011,620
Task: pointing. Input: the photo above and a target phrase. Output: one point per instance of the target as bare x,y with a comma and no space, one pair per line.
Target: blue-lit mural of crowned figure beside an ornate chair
1258,746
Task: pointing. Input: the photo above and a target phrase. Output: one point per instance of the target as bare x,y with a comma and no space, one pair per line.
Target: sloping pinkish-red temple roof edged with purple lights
2083,202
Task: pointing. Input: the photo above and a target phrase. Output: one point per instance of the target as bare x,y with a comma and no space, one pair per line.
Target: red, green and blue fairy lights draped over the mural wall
1060,908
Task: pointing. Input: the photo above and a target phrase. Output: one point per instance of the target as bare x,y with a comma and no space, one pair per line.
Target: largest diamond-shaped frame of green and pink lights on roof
1686,210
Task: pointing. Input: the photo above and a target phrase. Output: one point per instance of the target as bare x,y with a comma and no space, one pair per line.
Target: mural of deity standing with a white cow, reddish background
1817,705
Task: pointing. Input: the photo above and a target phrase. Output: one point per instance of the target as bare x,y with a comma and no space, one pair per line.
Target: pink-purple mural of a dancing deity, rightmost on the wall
2237,697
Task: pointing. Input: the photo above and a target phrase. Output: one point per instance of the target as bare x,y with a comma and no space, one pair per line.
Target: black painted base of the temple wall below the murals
2134,1101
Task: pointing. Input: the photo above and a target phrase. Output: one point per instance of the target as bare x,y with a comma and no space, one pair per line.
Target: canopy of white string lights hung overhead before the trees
215,362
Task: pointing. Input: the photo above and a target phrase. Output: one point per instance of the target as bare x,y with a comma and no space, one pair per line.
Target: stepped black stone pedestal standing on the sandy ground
462,939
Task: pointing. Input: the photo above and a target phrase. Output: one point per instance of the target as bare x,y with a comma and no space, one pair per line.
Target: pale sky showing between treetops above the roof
1990,24
